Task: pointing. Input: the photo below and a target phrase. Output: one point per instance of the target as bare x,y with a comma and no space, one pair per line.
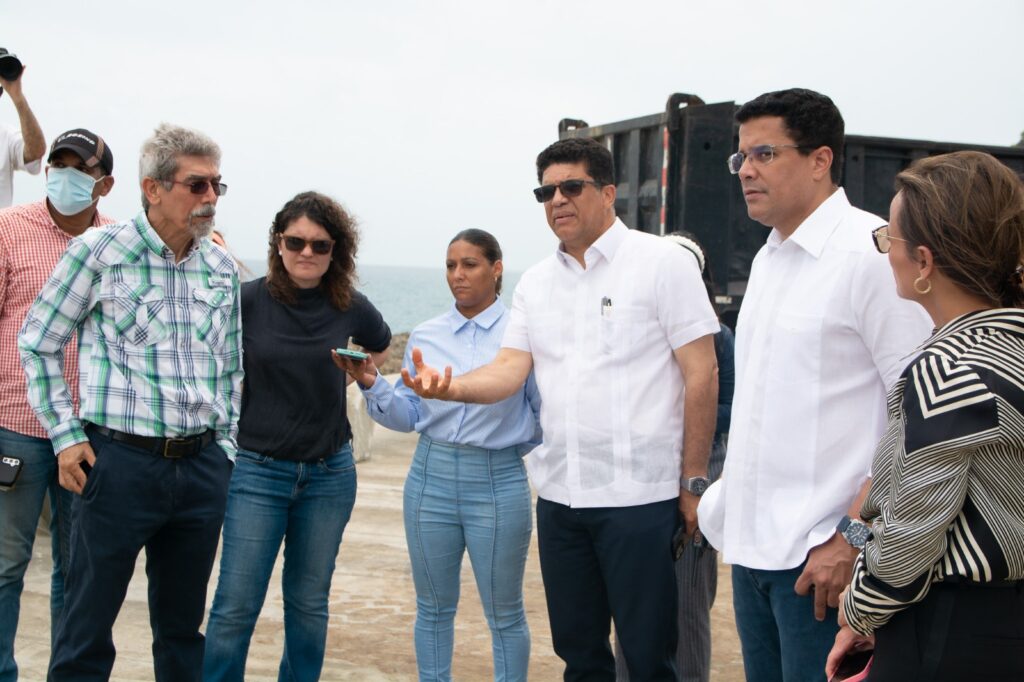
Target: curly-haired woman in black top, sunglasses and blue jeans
294,479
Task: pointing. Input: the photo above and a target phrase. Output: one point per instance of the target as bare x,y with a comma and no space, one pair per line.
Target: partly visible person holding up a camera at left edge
19,150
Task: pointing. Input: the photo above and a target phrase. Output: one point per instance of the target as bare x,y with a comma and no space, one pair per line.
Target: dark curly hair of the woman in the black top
339,281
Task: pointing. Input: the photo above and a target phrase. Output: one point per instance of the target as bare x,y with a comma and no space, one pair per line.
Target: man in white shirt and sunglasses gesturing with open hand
619,330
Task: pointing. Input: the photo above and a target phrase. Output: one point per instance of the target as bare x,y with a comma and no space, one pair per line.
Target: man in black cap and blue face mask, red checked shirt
32,239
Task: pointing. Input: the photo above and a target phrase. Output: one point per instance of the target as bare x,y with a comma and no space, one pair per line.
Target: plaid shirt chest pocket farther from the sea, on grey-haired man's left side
139,314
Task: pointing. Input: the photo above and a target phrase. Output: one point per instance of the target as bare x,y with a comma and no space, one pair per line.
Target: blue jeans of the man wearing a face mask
20,509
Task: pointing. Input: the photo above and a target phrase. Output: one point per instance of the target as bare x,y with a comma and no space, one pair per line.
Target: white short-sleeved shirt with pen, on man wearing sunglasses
603,342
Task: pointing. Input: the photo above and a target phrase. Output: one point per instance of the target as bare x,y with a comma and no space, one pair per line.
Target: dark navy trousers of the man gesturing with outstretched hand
604,564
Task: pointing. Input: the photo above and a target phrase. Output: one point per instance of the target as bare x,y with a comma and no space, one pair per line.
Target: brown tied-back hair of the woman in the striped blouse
969,209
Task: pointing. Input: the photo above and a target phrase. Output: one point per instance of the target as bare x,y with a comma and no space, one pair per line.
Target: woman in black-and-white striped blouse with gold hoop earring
938,587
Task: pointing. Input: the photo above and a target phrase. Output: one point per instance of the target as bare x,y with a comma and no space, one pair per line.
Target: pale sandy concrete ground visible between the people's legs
372,604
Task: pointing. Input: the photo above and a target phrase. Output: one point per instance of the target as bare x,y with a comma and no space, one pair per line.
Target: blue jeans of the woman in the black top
308,506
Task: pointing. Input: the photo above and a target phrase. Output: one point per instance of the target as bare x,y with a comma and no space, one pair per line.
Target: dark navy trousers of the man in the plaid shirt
134,500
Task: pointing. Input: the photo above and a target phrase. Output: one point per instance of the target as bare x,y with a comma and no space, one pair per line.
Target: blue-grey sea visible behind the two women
406,296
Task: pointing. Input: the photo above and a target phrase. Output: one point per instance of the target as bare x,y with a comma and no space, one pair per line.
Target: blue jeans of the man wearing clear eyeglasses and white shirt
780,636
